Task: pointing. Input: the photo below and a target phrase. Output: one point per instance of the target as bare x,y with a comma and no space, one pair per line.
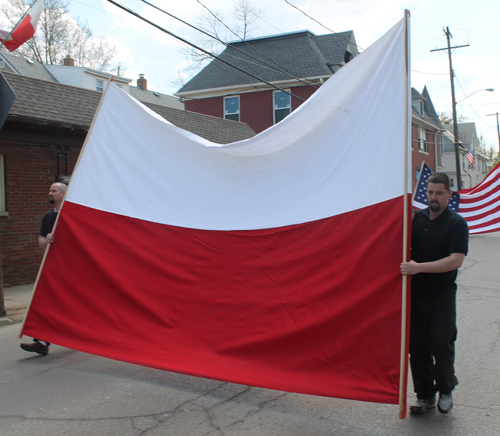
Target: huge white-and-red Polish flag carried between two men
271,262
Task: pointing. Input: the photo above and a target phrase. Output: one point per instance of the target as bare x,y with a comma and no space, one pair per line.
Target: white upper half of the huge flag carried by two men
342,150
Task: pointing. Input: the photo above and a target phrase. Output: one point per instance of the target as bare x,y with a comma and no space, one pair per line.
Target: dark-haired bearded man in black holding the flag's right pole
439,245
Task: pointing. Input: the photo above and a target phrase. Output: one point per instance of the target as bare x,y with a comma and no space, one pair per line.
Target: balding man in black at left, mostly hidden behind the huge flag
56,196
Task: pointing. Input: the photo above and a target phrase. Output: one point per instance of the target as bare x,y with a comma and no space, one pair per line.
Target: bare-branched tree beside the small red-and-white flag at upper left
59,35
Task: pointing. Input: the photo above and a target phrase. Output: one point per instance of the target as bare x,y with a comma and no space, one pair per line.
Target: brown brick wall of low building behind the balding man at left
29,172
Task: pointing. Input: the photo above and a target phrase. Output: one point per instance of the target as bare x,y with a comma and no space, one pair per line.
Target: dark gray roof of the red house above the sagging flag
302,54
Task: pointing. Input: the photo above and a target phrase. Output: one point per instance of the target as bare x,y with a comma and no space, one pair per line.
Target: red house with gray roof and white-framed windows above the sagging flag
297,63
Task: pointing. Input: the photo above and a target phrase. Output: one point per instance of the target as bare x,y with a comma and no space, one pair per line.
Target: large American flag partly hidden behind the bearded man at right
480,206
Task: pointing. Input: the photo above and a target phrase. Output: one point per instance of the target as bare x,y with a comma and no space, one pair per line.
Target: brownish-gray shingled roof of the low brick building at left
44,102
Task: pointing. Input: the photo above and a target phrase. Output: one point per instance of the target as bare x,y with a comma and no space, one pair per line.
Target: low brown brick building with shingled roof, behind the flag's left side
40,142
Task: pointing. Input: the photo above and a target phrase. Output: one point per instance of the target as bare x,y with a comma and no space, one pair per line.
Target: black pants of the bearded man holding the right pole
433,332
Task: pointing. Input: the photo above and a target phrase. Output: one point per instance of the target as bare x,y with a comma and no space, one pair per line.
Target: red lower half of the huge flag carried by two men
311,308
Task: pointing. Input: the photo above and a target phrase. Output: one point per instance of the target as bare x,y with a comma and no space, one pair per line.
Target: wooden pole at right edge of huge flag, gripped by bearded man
404,350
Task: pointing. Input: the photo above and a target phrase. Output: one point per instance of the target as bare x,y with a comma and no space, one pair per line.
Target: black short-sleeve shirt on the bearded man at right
433,240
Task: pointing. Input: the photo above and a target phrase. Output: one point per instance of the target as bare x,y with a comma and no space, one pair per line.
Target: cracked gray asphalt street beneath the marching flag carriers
73,393
